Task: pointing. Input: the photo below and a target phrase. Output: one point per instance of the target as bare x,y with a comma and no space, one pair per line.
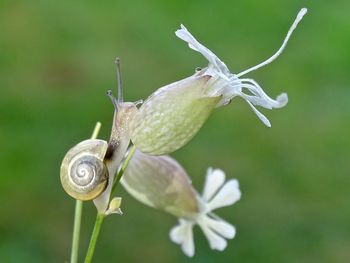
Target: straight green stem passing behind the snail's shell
78,213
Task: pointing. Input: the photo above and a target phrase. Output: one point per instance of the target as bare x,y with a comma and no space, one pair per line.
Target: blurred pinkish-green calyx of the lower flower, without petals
160,182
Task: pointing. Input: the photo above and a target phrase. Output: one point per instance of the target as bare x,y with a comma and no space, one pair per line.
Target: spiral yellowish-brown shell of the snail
84,175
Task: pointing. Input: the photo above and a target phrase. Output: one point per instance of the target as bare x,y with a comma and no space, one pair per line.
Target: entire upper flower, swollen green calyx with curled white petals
172,115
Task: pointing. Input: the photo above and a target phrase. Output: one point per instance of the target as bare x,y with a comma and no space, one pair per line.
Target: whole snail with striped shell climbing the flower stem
88,169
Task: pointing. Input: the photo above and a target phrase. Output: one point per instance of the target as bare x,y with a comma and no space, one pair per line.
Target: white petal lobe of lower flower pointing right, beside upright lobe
227,195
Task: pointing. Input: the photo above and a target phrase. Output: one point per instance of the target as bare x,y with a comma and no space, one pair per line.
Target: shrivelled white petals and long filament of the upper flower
234,85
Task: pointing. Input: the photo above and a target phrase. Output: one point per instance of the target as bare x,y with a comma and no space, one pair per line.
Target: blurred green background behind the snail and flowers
56,63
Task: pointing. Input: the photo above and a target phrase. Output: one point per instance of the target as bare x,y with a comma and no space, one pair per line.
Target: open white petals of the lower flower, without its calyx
216,194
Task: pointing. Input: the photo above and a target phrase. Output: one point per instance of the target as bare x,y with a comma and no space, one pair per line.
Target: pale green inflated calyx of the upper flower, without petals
172,115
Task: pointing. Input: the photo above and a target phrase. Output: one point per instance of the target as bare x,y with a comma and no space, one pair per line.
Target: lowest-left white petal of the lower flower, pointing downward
182,234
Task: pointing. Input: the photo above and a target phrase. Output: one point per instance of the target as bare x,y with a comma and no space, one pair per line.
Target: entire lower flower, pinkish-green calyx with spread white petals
160,182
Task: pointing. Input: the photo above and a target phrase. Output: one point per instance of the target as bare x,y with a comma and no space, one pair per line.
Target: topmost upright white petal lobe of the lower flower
213,181
